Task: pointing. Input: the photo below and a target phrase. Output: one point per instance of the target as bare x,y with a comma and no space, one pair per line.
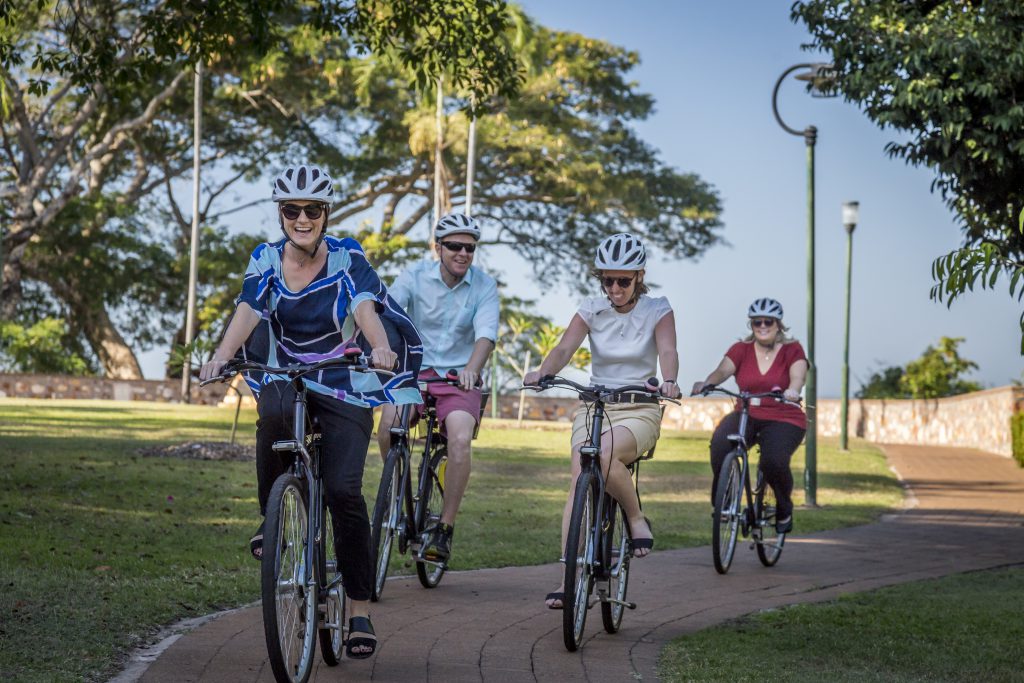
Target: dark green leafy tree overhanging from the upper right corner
950,75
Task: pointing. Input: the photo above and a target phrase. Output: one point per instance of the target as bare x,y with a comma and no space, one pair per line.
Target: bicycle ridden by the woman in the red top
757,519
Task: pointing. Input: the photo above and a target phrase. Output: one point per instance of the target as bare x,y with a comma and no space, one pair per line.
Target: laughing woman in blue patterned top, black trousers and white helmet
305,300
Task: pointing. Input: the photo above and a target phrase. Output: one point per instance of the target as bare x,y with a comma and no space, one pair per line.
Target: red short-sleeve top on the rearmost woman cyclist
749,378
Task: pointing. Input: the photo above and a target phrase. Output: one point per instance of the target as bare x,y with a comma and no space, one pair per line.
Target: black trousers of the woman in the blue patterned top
347,432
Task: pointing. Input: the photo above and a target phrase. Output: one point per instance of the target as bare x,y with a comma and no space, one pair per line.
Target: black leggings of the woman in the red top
779,441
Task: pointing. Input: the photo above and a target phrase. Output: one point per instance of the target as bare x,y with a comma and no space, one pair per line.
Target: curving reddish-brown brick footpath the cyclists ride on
492,625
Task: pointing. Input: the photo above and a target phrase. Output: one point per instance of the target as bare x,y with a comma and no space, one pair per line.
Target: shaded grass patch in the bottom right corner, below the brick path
960,628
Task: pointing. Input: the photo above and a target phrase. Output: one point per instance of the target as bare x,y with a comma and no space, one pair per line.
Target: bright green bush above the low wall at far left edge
39,349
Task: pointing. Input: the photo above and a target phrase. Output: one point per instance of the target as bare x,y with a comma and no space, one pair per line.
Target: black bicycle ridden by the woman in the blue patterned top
301,584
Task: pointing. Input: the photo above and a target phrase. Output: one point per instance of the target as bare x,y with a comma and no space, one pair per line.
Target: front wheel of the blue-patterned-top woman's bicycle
288,585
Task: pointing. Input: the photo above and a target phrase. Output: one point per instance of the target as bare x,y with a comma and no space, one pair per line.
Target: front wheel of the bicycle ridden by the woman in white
579,563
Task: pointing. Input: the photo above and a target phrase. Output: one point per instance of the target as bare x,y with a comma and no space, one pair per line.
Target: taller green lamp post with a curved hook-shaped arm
820,77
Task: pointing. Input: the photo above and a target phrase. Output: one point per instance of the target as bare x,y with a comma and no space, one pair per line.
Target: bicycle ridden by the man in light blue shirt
401,516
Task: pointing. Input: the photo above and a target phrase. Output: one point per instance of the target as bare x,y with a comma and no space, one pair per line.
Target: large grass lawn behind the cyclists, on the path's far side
101,546
